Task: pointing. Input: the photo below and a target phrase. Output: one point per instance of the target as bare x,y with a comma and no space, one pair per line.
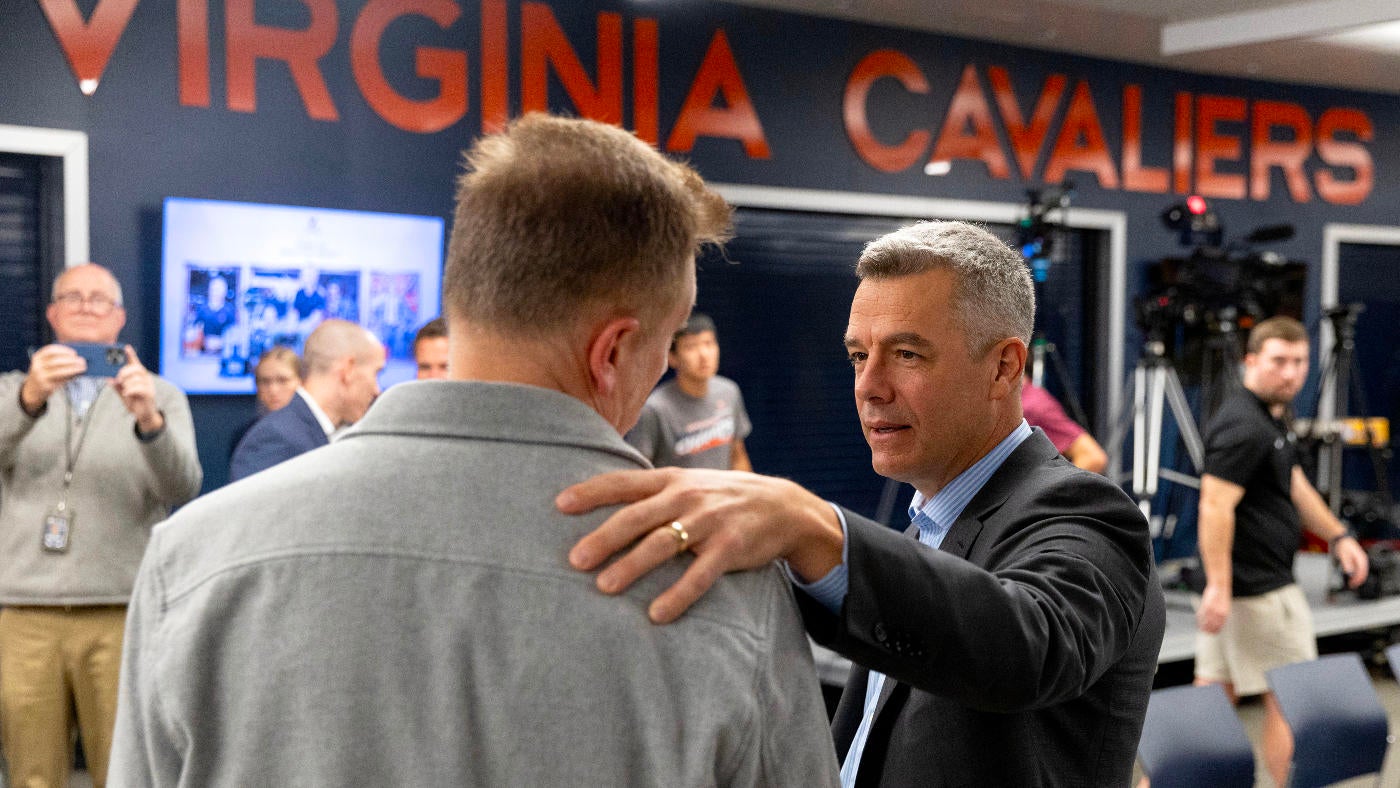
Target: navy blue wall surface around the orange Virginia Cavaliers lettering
148,146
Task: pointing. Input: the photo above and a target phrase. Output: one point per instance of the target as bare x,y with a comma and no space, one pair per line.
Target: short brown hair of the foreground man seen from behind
559,213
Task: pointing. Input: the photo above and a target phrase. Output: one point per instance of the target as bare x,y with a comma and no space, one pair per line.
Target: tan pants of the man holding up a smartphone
55,661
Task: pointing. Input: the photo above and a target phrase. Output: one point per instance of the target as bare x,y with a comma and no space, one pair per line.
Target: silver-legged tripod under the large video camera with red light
1153,386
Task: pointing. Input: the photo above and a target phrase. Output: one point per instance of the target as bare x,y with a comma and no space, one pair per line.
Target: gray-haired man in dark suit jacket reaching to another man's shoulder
1014,639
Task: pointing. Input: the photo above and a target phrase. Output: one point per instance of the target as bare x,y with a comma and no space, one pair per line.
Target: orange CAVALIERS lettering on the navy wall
1209,152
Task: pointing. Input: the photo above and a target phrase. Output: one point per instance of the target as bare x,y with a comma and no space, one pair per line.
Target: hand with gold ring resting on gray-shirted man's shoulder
736,521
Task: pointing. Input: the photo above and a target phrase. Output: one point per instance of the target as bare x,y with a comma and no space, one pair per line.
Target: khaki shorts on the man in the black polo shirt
1262,633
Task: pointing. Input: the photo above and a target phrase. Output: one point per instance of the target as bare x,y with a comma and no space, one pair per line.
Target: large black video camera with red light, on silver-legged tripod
1217,290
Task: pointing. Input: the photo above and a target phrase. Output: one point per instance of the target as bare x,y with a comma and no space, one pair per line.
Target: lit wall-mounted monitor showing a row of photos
239,279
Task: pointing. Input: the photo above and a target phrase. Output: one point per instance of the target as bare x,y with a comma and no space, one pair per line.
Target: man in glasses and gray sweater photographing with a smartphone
92,457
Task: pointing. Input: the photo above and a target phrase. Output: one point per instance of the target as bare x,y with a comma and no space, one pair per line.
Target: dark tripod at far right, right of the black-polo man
1343,379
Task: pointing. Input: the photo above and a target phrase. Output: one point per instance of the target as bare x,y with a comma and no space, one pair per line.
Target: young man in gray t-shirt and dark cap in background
696,419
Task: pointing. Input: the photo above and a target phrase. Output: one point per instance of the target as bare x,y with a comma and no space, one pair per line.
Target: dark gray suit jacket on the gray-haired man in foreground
1021,653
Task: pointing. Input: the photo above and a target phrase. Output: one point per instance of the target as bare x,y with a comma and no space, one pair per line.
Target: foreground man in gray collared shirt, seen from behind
397,610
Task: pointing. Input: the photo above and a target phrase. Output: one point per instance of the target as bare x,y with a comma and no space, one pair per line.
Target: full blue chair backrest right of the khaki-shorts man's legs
1338,720
